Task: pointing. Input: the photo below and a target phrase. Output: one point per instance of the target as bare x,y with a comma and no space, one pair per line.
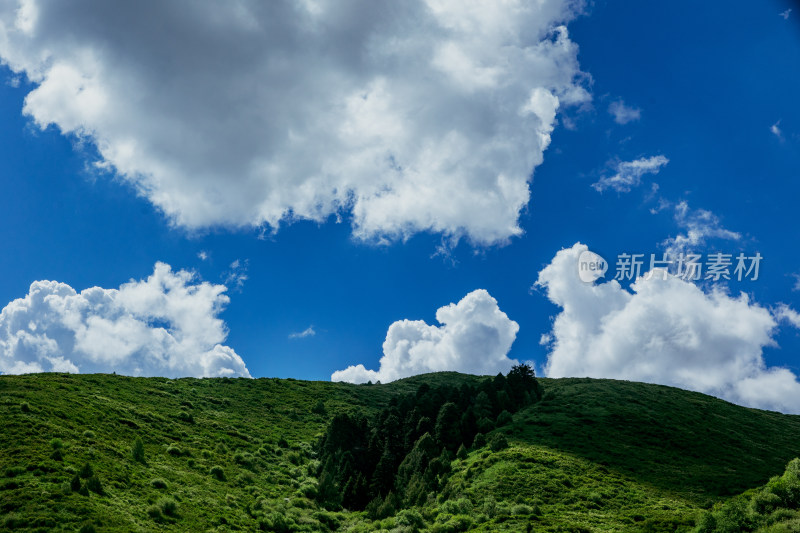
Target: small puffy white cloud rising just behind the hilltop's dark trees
475,337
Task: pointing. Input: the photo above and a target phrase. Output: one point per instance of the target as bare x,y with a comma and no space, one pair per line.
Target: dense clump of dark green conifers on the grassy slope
404,453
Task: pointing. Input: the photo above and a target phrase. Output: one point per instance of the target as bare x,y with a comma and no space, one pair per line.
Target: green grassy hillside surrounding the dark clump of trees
227,455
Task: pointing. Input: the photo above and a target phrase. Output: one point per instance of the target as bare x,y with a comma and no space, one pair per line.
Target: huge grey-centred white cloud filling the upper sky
427,115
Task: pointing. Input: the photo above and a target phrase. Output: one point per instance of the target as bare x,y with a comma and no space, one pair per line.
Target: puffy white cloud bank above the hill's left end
166,325
